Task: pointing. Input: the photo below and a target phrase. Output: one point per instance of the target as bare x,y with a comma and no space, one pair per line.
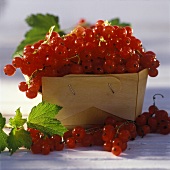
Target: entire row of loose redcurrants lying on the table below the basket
113,136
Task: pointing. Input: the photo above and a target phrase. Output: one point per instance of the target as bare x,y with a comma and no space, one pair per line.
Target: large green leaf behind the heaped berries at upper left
40,25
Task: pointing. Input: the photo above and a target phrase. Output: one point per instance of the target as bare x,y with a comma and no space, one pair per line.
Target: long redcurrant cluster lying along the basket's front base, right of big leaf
113,137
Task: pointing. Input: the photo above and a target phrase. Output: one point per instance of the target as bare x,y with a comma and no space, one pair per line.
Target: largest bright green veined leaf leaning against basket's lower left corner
43,118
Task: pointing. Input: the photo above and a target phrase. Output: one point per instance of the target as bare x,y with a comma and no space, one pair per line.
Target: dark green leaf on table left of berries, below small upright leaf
18,138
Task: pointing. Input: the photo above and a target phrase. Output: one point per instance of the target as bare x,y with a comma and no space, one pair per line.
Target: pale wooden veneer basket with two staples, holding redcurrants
88,99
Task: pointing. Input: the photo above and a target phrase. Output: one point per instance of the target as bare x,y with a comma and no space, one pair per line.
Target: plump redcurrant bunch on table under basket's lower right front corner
116,134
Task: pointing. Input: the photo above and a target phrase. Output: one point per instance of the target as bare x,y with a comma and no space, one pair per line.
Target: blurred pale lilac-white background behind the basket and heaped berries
150,20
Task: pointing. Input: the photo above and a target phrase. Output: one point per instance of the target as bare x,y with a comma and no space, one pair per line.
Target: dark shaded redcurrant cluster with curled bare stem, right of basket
153,121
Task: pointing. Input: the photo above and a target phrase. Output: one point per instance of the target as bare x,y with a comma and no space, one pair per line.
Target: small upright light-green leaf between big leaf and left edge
17,121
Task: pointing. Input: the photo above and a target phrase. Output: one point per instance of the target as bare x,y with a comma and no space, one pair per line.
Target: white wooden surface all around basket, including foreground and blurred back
151,22
